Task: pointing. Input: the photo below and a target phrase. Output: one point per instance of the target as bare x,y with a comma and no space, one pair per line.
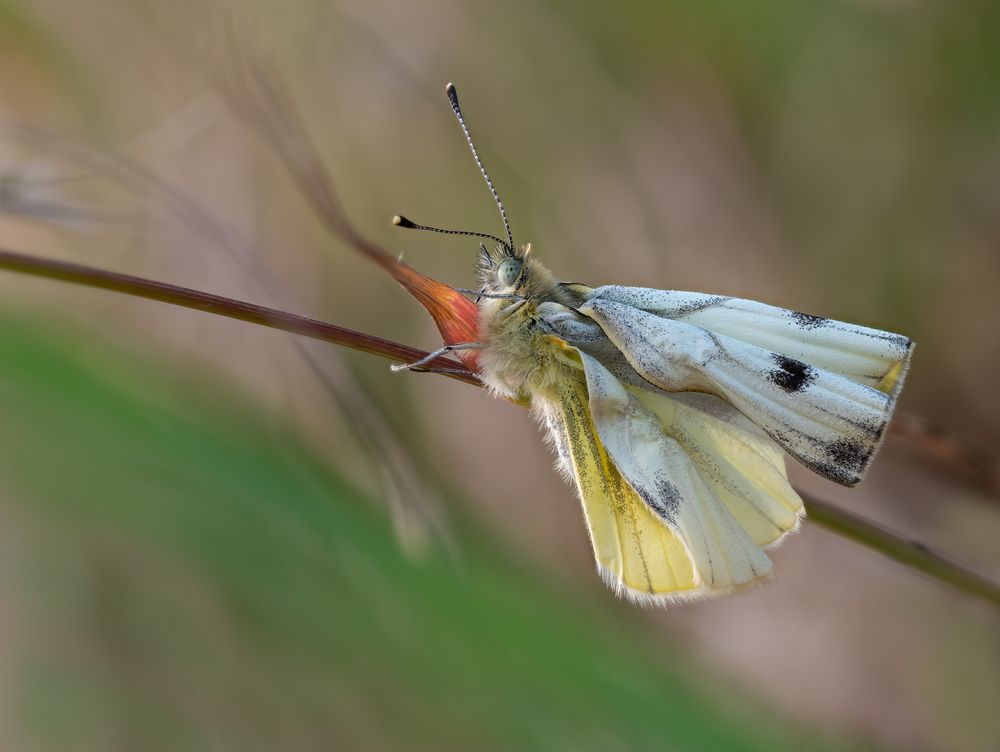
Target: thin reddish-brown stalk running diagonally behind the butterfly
911,553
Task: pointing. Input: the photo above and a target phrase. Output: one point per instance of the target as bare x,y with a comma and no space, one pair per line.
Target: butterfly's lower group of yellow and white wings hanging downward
658,521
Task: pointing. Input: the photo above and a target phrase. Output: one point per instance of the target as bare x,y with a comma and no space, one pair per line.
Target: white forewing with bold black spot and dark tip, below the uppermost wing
829,422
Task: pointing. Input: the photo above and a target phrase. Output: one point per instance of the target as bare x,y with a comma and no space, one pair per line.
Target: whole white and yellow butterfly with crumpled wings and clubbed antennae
671,412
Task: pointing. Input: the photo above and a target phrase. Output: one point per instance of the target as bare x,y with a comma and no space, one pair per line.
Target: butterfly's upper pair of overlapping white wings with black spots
829,421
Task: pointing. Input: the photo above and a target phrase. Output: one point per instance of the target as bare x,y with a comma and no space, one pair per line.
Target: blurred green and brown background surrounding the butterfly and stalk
215,536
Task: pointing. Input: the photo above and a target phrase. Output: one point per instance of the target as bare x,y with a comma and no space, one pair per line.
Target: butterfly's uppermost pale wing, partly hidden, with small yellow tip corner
861,354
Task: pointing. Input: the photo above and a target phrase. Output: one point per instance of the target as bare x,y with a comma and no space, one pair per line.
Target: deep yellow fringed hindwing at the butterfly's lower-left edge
637,555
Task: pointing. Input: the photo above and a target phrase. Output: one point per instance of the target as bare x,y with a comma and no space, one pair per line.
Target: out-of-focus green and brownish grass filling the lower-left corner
187,577
